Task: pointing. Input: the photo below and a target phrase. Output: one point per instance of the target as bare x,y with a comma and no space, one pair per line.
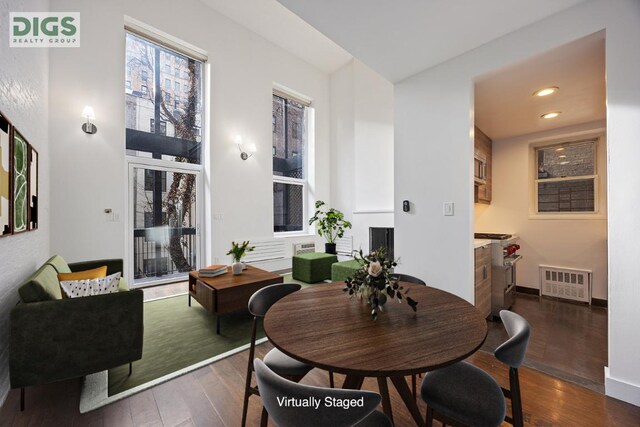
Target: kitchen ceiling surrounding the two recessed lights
505,108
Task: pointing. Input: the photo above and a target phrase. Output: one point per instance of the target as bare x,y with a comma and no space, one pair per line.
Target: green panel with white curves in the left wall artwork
20,180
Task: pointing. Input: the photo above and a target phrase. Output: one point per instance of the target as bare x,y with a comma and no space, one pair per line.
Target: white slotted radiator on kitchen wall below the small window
567,283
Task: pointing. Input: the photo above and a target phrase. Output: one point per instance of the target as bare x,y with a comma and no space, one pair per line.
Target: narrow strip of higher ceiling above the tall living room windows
274,22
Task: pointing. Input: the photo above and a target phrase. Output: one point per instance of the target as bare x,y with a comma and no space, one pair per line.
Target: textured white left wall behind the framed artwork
23,100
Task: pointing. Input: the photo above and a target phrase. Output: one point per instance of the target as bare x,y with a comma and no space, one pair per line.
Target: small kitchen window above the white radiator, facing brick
566,178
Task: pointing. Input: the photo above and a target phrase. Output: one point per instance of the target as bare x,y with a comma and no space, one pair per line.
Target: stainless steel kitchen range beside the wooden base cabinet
504,257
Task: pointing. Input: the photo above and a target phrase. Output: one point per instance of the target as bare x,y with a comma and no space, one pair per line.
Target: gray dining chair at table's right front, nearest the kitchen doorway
464,394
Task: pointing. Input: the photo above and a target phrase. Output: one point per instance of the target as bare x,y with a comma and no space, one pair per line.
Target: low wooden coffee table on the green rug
228,293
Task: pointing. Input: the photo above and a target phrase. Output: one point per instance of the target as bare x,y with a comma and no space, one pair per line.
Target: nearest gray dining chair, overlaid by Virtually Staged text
278,394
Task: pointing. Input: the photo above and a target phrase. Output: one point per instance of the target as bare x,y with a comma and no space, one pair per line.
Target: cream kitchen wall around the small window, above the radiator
571,243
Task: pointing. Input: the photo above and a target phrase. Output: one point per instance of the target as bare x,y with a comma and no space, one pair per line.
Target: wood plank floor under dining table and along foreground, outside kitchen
212,396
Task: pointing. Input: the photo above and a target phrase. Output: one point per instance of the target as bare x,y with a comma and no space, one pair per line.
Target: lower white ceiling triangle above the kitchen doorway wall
403,37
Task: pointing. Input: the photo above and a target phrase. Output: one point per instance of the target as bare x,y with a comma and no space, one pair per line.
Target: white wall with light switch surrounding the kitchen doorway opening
434,146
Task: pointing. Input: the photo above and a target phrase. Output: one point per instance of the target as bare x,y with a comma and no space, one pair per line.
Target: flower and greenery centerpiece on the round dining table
374,282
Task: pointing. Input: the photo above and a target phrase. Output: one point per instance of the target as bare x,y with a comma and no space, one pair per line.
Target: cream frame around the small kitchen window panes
597,213
